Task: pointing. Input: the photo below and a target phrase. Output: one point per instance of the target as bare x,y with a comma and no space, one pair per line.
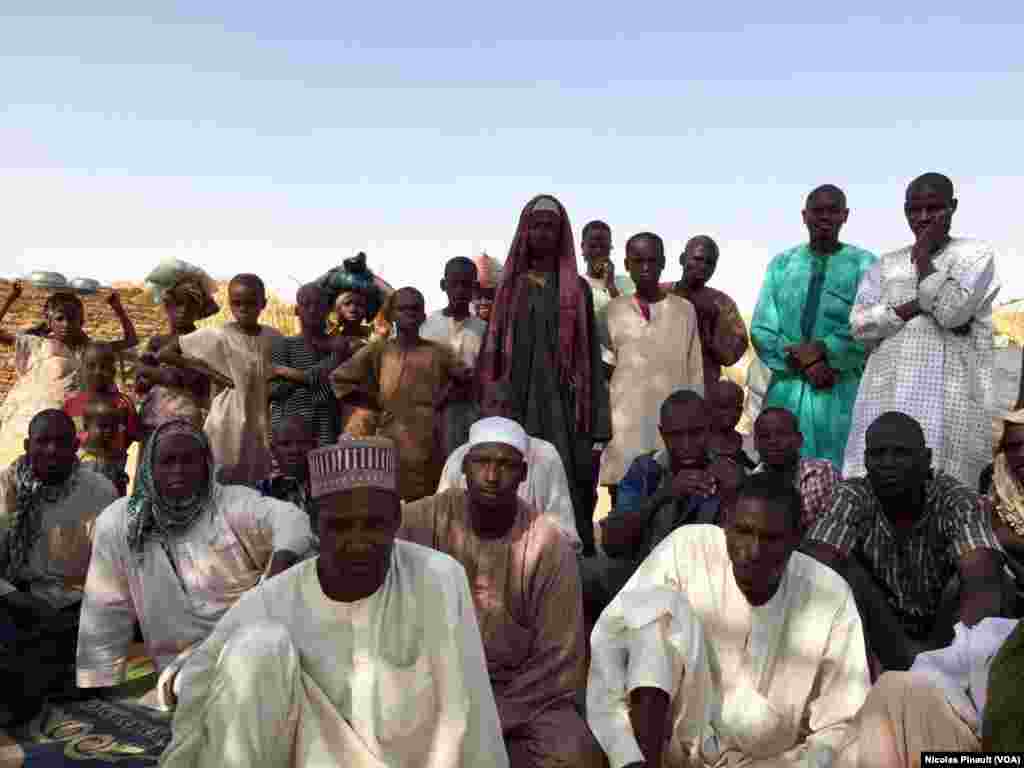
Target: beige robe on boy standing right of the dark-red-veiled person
653,361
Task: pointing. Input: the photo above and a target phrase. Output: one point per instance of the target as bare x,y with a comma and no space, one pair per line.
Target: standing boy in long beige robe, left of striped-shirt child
240,352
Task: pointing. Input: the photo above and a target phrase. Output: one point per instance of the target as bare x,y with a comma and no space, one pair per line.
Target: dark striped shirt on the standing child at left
314,401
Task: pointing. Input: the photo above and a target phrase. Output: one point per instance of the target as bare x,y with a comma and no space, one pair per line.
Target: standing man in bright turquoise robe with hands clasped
801,327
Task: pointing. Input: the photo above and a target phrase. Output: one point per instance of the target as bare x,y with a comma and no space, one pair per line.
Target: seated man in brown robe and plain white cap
527,590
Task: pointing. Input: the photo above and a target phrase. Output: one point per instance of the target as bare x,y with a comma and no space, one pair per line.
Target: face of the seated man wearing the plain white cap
494,473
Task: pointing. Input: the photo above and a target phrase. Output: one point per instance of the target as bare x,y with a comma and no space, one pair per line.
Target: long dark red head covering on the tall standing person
574,325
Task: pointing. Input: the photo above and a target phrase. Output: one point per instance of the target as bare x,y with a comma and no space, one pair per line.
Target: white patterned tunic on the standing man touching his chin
921,368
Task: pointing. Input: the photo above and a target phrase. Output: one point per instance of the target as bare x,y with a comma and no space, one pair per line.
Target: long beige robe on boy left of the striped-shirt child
239,421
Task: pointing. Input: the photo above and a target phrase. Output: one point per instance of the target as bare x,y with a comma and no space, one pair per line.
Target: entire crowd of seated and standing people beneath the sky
373,544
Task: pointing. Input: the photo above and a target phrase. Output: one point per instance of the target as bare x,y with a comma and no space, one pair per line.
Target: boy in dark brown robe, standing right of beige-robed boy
723,333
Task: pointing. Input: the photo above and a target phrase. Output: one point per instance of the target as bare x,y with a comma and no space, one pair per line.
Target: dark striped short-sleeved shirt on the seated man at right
915,568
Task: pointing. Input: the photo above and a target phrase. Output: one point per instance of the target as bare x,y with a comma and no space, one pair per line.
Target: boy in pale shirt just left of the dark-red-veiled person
455,328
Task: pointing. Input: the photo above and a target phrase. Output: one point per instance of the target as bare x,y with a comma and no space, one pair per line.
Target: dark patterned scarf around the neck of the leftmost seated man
25,529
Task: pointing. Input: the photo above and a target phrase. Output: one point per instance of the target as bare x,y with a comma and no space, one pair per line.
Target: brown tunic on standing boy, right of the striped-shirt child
408,386
